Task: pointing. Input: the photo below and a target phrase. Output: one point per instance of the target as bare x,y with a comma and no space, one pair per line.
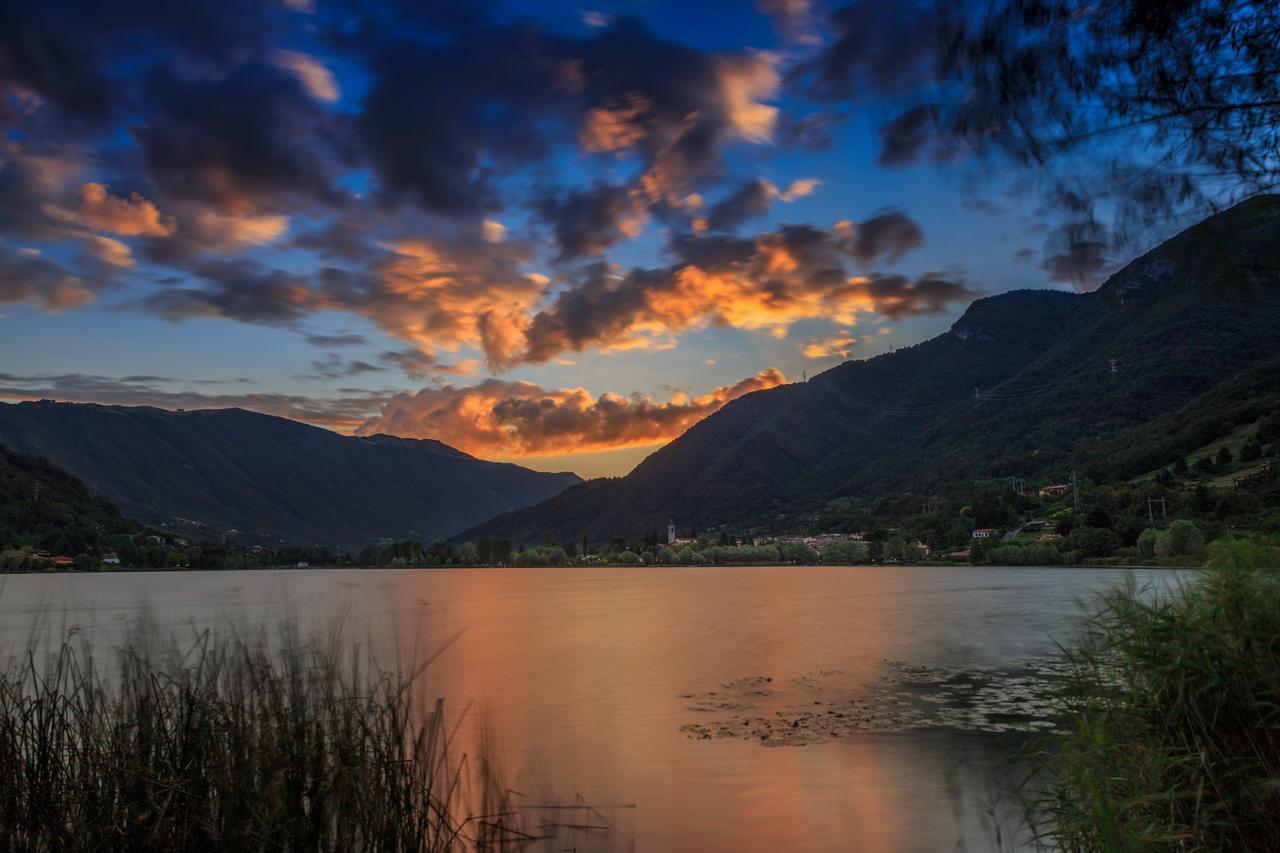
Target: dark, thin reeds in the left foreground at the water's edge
237,745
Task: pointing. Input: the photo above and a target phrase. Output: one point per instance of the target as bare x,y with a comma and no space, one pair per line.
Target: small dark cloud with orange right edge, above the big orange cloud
588,222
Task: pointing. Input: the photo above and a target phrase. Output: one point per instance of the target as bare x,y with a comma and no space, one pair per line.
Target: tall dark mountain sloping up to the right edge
1027,384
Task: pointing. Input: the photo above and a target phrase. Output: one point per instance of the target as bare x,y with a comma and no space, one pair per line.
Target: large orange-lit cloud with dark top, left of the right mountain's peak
767,282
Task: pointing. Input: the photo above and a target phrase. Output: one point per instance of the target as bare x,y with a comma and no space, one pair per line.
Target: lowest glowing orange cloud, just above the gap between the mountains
499,418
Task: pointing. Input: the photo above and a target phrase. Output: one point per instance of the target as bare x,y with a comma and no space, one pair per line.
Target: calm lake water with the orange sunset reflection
582,674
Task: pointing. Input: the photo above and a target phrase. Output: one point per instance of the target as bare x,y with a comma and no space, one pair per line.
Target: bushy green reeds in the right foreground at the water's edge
1174,731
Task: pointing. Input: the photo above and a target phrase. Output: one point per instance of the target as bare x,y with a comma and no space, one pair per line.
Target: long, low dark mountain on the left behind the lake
272,480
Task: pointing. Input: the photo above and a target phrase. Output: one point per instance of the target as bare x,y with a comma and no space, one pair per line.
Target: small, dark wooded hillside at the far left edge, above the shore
45,508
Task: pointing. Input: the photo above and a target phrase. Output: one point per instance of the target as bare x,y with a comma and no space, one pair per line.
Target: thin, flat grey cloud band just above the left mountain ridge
344,413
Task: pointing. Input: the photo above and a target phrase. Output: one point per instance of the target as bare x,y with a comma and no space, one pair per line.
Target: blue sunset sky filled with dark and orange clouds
555,234
